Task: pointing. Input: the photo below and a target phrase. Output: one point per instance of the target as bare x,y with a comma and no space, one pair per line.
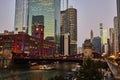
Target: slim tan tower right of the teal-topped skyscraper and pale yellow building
111,33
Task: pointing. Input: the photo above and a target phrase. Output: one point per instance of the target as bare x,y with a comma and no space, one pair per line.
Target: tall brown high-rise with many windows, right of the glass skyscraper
69,25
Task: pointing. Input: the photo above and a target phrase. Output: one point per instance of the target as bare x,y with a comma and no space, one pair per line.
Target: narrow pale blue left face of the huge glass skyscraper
21,16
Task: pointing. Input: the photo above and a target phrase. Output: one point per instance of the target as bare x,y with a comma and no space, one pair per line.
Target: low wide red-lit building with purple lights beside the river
25,45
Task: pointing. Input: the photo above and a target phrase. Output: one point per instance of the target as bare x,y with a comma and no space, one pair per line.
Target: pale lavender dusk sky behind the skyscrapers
89,14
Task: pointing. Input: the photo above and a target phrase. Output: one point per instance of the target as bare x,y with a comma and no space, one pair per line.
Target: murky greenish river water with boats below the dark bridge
27,74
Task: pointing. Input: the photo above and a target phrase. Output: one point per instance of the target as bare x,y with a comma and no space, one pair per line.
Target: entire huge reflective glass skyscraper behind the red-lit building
31,12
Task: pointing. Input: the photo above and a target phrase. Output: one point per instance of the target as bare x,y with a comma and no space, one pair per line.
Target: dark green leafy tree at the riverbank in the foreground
89,71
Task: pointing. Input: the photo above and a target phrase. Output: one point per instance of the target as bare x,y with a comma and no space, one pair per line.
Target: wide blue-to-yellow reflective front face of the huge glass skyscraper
50,9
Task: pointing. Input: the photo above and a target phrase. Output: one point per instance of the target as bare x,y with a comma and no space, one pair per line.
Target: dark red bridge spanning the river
22,58
